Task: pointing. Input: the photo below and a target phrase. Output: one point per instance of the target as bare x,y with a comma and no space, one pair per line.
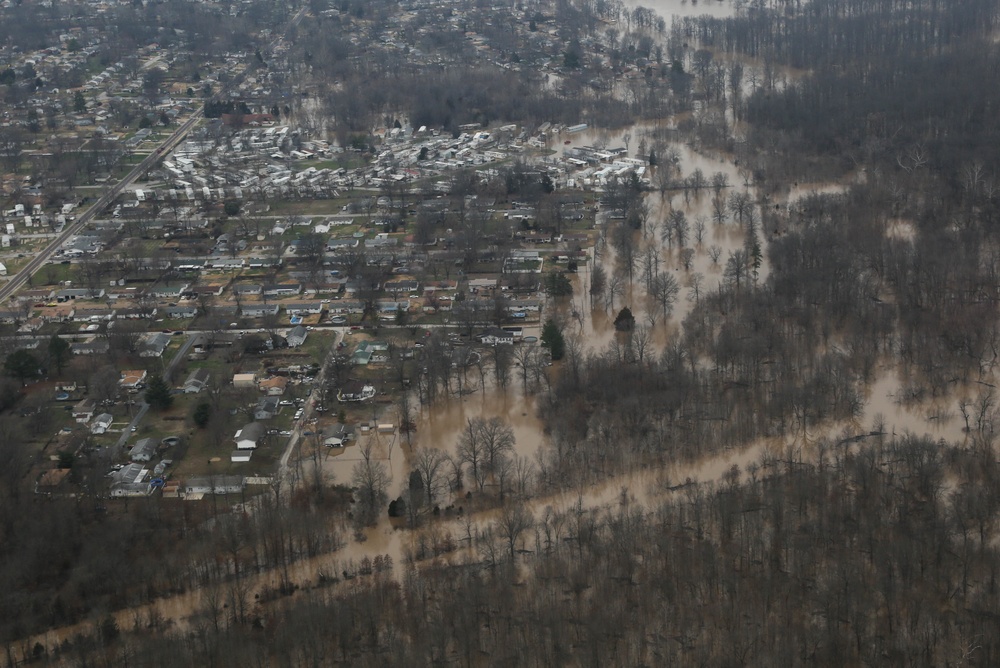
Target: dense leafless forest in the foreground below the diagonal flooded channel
849,555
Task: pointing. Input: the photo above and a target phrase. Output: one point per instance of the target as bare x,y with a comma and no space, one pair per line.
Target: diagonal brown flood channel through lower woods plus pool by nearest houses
440,428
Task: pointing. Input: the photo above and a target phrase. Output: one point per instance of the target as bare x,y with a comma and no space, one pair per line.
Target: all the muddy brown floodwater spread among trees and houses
888,402
